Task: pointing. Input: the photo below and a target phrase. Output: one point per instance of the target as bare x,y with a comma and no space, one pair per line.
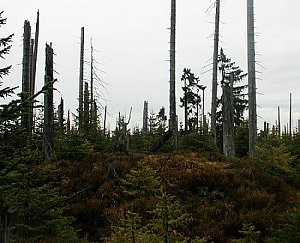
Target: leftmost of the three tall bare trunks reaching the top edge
173,116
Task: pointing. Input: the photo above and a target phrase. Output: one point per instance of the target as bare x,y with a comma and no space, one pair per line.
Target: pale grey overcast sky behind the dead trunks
132,42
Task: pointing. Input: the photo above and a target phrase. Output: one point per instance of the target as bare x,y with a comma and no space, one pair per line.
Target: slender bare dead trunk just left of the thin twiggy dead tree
80,108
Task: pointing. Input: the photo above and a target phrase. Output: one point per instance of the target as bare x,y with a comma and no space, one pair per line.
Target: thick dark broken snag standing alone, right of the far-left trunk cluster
48,104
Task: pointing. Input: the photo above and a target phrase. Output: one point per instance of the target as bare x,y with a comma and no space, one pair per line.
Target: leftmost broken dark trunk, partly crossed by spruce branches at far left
25,121
